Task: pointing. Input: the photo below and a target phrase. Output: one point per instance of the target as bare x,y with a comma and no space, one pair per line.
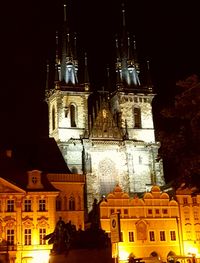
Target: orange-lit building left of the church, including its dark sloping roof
33,196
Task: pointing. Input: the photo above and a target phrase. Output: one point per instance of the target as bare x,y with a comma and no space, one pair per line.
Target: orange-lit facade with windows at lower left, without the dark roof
29,212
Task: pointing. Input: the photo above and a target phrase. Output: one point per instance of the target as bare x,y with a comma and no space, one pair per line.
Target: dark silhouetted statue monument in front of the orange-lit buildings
75,246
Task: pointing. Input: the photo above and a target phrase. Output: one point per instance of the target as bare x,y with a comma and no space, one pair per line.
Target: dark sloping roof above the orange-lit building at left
43,155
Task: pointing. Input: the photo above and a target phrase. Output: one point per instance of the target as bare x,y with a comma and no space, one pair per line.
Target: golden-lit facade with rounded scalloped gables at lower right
155,224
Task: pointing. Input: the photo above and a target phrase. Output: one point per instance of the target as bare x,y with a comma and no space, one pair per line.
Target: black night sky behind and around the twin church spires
166,34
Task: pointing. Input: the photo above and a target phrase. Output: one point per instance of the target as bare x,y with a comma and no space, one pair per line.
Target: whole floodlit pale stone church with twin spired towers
106,135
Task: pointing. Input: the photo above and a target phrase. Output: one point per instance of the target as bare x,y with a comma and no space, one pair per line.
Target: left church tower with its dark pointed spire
68,99
